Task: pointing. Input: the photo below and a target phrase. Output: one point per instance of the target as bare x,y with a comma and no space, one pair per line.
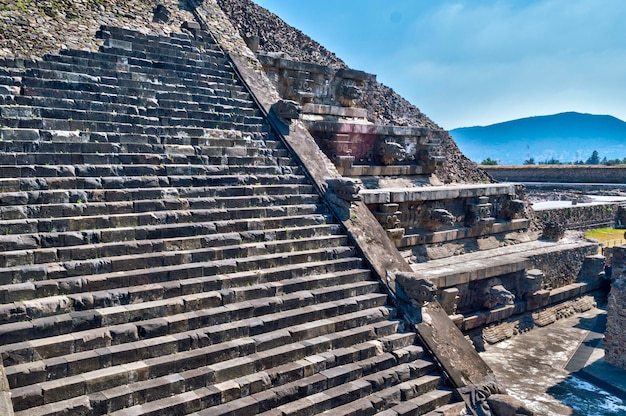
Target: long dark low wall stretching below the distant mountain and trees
558,173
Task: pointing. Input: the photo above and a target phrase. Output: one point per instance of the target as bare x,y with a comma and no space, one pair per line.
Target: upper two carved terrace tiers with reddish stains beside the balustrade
358,147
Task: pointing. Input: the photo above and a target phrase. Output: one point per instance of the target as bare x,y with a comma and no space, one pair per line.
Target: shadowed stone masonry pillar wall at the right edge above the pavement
615,336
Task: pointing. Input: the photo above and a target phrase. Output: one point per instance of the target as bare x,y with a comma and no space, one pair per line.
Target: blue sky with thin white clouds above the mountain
478,62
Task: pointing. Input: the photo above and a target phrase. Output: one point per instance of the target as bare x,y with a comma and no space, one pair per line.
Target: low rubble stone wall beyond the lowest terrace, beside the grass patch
578,217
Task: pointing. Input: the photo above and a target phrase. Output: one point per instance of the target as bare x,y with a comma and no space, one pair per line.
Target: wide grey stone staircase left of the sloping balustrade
162,253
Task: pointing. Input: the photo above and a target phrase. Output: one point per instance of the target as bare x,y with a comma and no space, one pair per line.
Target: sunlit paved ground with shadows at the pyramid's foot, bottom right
560,369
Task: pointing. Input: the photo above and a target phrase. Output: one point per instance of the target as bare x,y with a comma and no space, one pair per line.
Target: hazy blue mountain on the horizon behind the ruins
567,137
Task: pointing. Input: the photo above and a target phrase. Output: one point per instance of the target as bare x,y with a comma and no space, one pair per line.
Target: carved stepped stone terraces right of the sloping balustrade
476,242
